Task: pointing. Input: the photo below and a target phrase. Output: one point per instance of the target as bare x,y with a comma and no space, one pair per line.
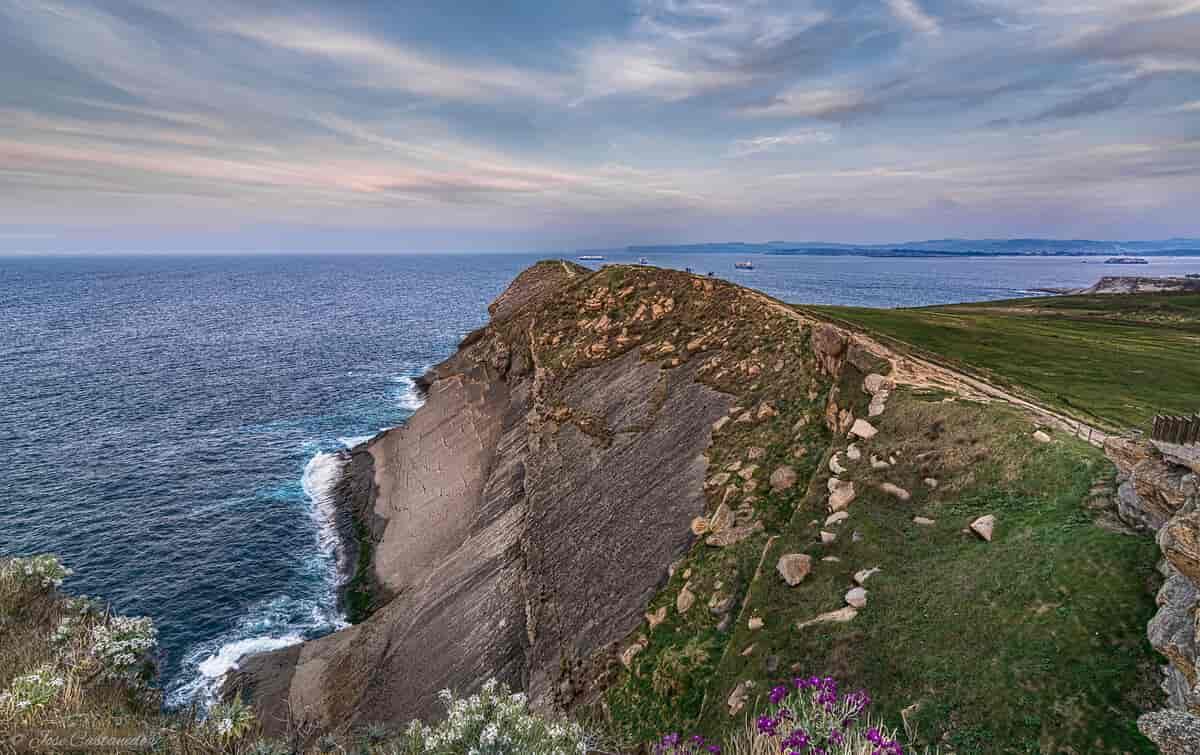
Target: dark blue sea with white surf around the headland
169,422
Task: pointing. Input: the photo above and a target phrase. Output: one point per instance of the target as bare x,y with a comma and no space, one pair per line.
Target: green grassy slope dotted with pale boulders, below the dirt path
1034,643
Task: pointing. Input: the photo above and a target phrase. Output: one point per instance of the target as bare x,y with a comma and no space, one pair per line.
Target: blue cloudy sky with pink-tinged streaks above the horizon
495,125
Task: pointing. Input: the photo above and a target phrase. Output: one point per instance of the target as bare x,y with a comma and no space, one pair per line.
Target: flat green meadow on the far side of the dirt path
1115,361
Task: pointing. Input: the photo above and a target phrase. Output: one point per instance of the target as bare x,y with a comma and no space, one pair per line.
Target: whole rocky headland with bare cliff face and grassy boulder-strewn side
645,498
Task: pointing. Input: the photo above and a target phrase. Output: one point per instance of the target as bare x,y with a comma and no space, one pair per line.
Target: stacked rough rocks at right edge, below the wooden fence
1157,494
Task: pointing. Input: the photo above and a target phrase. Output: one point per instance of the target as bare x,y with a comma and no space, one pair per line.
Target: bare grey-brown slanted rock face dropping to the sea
520,523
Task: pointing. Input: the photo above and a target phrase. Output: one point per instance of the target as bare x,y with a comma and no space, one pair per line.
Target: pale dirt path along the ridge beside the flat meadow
910,370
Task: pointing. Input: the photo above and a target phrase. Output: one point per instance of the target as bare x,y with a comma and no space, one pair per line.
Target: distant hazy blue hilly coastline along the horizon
935,248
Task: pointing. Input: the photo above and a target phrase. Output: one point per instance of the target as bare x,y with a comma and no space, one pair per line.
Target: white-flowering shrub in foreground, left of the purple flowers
494,722
